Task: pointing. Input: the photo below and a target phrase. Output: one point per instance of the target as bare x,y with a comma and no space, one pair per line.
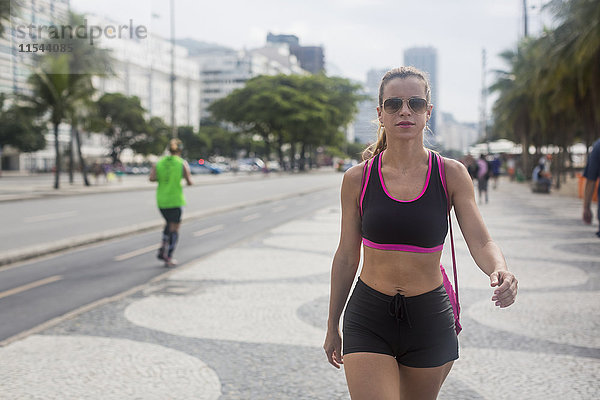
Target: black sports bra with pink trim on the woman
419,225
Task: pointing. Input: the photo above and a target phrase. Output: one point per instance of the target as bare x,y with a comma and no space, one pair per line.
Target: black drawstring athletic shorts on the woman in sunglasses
418,330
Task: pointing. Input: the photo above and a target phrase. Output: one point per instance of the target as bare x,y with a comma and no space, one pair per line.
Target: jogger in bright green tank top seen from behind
168,172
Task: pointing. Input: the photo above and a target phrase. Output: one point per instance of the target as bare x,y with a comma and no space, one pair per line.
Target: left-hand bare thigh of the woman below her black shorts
372,376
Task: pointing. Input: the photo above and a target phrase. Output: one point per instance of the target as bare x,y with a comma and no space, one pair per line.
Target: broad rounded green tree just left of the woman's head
291,109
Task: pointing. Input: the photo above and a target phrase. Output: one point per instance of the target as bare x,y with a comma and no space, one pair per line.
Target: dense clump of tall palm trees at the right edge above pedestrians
551,92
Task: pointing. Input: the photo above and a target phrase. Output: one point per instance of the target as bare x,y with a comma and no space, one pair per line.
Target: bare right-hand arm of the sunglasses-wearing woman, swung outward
483,249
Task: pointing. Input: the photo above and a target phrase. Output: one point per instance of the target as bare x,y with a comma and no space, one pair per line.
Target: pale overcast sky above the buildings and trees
357,35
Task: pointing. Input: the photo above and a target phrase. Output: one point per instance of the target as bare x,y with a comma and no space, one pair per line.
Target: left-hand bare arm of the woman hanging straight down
345,262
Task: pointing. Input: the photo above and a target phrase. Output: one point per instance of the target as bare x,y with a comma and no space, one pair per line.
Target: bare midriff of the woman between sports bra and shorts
409,274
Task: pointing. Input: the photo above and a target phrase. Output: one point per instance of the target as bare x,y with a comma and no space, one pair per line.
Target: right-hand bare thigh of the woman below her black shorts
422,383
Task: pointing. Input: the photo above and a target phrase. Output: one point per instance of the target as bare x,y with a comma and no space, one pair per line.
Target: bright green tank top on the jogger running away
169,172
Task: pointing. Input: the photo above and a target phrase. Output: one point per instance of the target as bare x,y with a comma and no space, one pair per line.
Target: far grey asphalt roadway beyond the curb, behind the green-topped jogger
30,225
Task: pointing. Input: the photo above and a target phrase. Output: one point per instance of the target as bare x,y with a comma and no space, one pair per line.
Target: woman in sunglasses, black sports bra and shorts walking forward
399,334
